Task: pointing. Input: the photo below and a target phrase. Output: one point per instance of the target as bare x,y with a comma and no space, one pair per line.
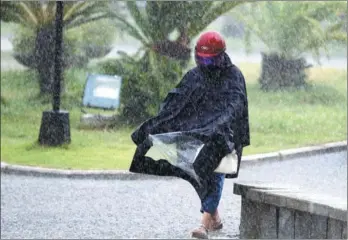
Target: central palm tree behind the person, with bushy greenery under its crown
165,30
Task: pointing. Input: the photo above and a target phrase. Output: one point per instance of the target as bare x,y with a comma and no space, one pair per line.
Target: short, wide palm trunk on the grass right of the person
280,73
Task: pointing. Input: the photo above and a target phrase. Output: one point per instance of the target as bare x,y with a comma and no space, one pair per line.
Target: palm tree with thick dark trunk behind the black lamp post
39,16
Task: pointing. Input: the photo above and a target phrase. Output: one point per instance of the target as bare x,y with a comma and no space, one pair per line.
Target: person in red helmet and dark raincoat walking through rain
210,103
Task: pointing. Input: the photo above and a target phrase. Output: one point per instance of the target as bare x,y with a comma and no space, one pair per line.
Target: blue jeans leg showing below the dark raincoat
211,202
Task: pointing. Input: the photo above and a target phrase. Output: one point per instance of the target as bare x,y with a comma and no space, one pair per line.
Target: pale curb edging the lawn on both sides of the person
126,175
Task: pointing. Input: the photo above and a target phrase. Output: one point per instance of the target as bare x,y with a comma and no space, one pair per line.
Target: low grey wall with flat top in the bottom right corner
276,212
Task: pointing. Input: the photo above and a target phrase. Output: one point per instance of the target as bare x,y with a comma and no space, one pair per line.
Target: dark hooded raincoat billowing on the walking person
211,107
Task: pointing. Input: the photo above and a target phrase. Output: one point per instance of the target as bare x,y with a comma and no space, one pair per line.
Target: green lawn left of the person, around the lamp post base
20,123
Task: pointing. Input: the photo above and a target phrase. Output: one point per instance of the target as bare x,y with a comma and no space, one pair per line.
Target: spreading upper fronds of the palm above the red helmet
160,18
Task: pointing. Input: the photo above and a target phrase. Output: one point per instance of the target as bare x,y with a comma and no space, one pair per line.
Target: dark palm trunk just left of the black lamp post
44,58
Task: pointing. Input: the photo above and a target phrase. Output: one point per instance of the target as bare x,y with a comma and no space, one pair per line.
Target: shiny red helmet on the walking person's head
210,44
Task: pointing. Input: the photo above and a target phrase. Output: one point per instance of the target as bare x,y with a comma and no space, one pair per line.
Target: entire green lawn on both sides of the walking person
278,120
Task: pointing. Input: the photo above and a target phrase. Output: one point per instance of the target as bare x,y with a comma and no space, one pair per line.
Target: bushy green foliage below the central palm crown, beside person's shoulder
142,89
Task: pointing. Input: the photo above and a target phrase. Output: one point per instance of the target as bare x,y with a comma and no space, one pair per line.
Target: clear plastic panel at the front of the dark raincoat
177,148
